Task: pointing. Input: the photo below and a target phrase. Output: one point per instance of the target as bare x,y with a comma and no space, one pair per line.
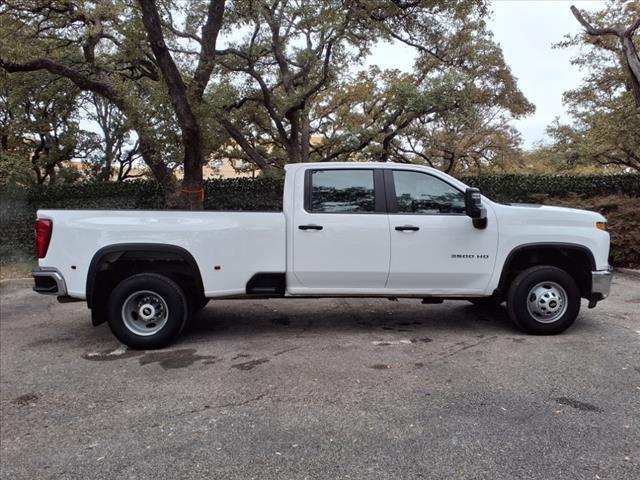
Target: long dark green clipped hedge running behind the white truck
18,205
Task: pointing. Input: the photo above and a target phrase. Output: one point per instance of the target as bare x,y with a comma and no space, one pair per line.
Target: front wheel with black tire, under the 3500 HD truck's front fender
543,300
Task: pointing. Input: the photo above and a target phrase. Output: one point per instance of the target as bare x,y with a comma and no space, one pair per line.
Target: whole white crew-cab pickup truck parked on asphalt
347,229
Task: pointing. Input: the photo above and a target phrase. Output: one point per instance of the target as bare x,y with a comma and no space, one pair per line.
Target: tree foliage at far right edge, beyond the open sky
606,122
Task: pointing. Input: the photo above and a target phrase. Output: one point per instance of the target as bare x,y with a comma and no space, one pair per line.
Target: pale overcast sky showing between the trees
526,31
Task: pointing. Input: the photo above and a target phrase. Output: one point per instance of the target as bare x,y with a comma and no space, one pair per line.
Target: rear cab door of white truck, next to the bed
341,238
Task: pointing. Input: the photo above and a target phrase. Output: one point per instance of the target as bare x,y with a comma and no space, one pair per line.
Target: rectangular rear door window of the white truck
342,191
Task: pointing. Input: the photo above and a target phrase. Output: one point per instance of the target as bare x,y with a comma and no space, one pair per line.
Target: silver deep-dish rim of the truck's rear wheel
144,313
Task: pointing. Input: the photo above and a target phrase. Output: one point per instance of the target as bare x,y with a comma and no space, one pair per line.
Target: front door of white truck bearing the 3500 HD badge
435,249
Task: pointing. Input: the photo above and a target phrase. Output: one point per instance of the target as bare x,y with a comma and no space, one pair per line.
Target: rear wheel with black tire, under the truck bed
160,298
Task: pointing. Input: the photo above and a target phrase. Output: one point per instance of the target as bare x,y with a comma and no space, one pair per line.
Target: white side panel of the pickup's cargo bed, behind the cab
229,247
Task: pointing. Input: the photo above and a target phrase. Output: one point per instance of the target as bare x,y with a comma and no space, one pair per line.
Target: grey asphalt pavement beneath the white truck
322,389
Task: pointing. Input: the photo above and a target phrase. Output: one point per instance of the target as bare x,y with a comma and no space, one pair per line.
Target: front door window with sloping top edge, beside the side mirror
422,193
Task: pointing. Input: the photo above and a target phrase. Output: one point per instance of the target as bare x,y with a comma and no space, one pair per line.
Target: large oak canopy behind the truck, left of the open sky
290,84
